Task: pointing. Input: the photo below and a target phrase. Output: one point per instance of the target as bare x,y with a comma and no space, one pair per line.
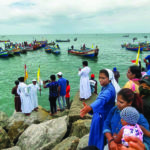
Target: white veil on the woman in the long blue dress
113,81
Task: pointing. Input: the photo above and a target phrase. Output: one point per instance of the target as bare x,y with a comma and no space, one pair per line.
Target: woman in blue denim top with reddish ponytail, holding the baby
126,97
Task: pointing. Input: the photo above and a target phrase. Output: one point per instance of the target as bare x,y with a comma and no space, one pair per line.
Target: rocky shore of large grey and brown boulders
40,131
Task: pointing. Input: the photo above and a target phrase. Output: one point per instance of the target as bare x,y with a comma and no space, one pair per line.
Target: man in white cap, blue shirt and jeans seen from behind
62,84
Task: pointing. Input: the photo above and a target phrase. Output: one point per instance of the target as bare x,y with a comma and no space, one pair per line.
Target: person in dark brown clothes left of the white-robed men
17,97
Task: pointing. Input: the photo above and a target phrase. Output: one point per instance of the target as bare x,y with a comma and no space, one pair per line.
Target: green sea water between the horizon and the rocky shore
110,55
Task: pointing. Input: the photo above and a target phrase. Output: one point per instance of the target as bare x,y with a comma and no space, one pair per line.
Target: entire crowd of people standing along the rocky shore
120,116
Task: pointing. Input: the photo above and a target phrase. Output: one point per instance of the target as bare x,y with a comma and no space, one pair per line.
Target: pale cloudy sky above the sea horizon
74,16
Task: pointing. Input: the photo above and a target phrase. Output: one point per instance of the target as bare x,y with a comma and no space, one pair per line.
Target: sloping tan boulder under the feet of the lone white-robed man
77,105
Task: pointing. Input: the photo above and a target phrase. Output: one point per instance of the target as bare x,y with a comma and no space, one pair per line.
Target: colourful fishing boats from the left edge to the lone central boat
12,49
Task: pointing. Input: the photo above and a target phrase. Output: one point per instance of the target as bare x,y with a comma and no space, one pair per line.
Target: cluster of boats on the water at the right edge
144,46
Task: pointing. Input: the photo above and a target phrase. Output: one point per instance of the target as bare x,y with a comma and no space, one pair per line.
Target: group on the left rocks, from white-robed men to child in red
26,99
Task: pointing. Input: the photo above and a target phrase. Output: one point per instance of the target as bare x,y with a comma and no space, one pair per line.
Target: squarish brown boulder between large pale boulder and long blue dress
80,128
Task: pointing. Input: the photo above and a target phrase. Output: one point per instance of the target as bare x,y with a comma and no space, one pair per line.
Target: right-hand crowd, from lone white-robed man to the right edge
112,124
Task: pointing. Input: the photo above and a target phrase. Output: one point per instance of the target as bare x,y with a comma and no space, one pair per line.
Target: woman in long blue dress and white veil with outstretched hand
101,107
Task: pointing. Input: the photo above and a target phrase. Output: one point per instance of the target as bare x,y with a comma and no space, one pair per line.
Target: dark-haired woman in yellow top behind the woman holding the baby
134,75
